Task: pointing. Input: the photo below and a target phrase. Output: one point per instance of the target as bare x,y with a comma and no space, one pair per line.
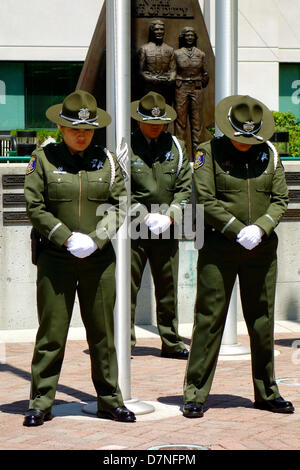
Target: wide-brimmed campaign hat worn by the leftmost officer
79,110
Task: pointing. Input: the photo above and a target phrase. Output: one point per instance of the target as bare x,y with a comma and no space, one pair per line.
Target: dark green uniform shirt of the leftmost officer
65,193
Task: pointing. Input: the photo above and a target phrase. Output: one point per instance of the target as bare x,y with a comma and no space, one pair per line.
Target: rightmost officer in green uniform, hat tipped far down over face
241,183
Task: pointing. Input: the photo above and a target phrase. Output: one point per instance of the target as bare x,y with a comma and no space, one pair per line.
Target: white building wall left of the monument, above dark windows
47,29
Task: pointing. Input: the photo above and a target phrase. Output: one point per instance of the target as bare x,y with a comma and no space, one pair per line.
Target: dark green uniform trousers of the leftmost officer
60,276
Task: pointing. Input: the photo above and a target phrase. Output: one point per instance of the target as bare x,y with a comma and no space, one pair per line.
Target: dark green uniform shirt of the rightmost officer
239,188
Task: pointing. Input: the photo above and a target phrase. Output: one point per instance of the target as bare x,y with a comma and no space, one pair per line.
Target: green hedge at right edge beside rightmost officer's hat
287,122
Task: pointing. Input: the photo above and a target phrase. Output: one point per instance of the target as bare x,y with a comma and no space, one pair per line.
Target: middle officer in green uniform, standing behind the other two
161,181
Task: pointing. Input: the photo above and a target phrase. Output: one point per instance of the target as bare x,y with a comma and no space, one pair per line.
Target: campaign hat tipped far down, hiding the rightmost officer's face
245,119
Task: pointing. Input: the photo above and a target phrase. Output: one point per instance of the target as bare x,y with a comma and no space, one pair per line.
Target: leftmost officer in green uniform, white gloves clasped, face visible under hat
65,187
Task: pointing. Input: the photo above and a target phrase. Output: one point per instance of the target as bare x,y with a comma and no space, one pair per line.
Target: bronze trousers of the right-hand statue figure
189,102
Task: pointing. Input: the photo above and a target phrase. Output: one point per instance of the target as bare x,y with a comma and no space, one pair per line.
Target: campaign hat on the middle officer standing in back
152,109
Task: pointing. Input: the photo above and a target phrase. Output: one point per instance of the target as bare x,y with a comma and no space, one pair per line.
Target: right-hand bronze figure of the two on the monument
191,78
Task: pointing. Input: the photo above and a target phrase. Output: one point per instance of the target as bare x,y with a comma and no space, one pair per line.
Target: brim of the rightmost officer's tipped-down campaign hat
266,131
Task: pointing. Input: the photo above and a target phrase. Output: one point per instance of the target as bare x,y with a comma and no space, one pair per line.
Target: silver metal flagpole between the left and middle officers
118,64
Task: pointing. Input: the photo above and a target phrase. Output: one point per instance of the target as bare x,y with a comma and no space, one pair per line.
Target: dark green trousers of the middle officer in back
163,256
